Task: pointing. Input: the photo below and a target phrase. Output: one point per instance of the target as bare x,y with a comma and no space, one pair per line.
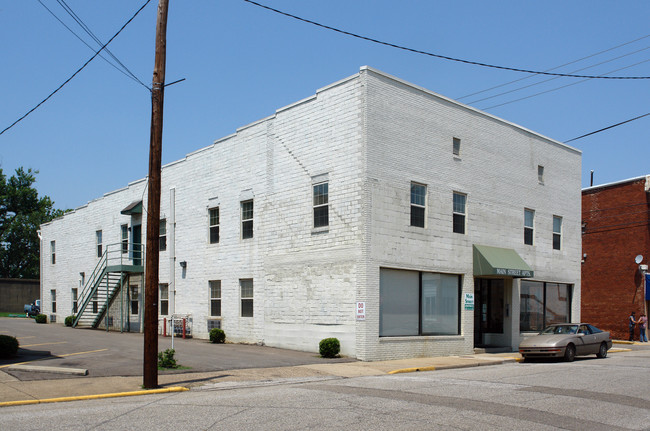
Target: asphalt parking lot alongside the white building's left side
106,354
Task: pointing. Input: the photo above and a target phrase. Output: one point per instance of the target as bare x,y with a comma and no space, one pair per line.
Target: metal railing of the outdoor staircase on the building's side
119,254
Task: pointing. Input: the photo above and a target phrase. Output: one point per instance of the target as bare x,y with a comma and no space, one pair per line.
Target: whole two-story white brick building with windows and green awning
453,228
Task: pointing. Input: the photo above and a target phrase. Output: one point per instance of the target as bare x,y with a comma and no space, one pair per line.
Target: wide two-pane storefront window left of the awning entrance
418,303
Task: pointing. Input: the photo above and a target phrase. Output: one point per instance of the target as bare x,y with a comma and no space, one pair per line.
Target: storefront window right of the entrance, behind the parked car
542,304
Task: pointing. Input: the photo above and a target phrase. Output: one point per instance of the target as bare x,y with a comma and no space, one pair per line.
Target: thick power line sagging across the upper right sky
417,51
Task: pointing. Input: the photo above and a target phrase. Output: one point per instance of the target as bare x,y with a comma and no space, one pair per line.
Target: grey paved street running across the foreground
589,394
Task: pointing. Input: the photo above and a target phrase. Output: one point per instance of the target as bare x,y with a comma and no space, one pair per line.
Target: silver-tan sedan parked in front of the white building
567,340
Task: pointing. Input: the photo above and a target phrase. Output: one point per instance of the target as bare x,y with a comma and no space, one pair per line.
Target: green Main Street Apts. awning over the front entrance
500,262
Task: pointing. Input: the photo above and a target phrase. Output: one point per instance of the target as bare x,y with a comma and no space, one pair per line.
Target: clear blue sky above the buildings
241,63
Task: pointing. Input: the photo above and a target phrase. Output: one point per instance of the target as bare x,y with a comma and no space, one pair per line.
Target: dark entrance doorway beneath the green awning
488,310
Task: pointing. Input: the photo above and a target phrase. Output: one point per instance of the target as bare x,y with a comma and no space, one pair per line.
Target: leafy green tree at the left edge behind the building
21,214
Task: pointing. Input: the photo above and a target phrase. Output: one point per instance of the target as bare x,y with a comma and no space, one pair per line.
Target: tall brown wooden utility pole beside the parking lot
150,360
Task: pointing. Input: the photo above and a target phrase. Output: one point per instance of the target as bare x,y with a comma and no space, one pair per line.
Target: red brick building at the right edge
615,230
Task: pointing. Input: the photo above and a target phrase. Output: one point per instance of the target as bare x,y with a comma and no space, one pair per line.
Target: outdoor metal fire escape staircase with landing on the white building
117,264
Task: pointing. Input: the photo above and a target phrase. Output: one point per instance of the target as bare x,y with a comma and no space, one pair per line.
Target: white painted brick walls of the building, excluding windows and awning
372,135
